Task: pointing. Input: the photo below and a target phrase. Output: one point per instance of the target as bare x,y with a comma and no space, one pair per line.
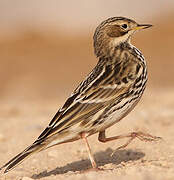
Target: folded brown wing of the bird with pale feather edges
104,85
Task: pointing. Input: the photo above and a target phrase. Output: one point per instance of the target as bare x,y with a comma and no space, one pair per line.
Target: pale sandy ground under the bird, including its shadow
140,160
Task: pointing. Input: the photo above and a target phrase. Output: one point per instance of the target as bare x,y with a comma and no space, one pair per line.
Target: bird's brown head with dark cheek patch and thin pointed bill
113,31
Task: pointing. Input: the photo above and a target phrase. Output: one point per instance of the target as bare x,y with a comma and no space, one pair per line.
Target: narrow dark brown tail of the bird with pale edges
35,147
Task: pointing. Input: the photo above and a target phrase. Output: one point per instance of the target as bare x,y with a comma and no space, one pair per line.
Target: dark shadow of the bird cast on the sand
102,158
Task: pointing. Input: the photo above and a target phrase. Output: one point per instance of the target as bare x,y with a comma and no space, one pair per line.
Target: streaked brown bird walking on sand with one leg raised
108,94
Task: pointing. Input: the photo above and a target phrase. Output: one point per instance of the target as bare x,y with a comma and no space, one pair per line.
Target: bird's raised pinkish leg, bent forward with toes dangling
140,135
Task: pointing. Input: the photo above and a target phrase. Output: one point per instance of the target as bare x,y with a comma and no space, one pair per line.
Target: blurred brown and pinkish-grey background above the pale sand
46,47
